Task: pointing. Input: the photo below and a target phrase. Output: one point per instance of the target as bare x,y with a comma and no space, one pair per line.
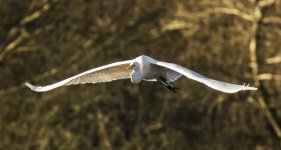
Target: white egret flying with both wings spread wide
142,68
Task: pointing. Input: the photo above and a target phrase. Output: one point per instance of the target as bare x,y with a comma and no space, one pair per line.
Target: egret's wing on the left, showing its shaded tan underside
105,73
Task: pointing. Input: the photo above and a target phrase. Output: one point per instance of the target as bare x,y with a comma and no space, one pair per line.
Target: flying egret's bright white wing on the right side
218,85
